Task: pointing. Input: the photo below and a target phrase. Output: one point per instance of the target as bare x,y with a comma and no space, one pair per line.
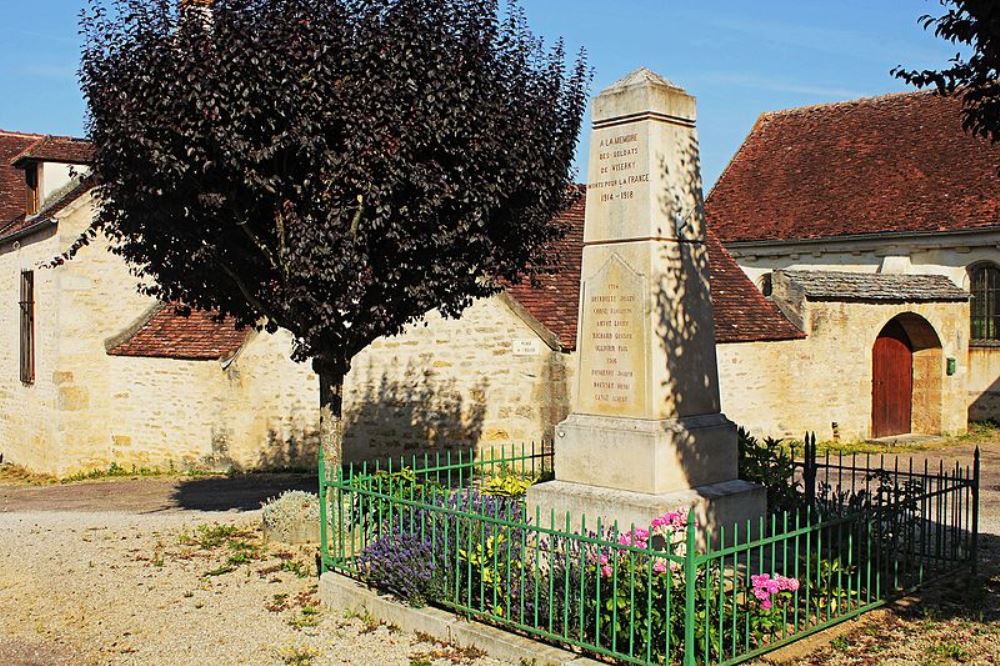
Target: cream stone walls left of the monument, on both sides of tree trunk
486,379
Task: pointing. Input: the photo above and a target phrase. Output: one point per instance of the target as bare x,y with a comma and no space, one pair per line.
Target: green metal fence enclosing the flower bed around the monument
862,535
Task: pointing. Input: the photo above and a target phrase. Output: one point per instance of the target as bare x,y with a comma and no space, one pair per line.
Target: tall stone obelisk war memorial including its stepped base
647,435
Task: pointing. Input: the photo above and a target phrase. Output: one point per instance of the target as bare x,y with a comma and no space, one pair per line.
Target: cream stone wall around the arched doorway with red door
784,389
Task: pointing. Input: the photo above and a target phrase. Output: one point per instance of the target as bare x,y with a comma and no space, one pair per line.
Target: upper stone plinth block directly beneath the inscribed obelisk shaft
646,455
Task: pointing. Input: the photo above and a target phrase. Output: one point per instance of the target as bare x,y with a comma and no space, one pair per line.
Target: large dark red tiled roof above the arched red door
898,163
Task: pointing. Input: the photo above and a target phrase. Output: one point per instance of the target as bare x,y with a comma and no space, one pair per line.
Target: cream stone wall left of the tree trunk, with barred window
86,409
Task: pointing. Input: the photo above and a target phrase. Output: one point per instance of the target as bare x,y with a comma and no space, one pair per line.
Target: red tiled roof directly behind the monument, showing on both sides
742,313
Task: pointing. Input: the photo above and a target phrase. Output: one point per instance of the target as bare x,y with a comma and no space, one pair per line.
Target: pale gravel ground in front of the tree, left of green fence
130,588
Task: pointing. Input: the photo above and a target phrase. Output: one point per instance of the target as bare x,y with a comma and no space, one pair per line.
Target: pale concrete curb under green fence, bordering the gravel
341,593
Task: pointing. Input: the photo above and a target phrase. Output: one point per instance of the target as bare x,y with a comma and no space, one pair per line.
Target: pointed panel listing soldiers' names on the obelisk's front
613,342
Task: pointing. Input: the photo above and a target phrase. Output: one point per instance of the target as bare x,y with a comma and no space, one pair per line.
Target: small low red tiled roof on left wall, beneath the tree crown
168,334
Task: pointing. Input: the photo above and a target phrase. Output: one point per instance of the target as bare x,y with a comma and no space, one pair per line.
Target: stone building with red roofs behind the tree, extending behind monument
92,373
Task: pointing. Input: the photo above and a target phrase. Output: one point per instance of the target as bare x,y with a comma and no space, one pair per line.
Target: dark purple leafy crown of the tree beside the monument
334,167
